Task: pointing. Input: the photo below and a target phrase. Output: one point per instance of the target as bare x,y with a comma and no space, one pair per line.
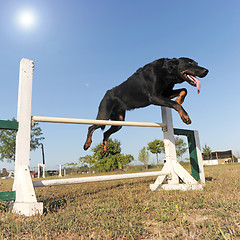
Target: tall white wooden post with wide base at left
25,202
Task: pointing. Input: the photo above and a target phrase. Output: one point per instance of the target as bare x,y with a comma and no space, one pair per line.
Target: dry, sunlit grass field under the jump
129,210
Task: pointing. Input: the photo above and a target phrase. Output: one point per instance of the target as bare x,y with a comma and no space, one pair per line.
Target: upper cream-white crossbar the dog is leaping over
96,122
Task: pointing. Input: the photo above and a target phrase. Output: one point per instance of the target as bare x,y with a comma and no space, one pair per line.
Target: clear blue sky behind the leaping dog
83,48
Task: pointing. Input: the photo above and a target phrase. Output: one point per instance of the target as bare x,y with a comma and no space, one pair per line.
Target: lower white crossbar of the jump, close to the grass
66,181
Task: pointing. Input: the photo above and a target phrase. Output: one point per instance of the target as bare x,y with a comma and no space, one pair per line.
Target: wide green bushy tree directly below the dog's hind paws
113,159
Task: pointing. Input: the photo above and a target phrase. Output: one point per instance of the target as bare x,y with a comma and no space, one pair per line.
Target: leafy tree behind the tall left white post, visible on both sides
8,142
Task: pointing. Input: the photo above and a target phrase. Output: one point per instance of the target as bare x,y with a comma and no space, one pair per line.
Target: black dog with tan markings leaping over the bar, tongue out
151,84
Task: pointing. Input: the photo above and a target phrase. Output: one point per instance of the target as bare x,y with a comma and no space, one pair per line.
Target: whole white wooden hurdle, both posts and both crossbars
26,202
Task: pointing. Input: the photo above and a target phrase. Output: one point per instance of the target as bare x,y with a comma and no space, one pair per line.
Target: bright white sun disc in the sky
26,19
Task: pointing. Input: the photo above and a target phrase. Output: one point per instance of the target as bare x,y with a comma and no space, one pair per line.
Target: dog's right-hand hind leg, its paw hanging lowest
117,117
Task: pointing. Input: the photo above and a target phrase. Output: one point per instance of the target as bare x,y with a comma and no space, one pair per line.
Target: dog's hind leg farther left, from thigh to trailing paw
104,113
